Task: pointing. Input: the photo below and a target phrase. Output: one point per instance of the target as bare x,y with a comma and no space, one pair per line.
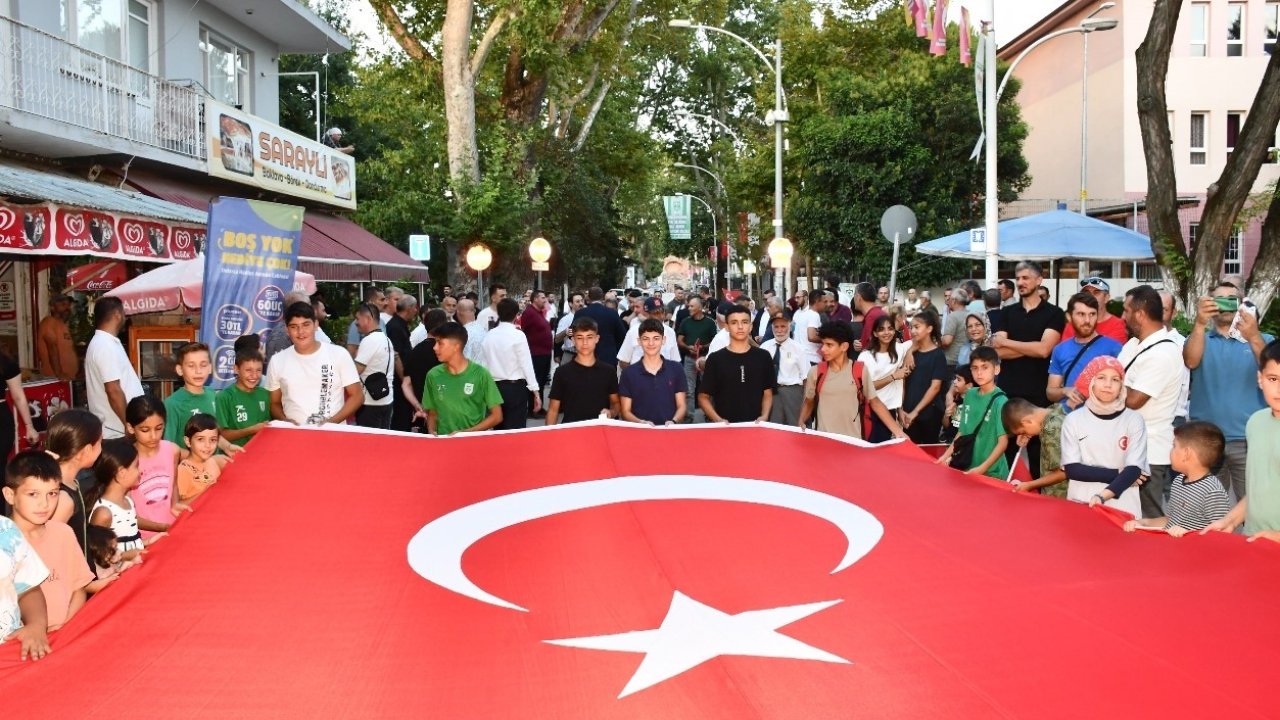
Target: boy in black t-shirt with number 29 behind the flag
586,389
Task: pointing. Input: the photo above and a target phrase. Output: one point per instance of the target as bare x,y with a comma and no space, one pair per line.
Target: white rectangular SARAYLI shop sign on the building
250,151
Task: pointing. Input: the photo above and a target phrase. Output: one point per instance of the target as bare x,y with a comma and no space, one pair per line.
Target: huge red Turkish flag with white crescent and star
612,572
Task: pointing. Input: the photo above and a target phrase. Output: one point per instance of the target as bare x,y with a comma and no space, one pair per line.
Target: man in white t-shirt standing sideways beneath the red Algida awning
111,381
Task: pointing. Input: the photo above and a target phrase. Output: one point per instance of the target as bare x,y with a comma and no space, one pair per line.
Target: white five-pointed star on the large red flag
693,634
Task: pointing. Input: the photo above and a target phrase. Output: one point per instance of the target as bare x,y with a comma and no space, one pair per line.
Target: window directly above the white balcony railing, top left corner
121,30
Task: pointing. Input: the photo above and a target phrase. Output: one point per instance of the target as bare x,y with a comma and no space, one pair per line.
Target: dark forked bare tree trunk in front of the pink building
1192,272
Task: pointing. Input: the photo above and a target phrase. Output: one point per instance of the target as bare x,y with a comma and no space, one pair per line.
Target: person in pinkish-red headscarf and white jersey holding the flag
1105,444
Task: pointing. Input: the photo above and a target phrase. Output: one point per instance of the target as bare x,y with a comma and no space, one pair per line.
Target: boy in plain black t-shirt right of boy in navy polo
738,381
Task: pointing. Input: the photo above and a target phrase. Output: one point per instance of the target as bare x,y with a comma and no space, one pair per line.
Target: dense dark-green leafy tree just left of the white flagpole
879,122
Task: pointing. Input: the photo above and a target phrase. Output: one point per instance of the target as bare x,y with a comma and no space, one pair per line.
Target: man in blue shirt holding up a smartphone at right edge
1223,353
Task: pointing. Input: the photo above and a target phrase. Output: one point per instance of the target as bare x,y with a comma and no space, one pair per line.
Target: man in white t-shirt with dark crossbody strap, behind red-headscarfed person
1155,375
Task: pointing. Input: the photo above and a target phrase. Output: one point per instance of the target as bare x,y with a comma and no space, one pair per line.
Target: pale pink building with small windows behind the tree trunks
1219,57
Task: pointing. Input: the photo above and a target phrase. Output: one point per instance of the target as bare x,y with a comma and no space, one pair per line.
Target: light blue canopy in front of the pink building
1052,236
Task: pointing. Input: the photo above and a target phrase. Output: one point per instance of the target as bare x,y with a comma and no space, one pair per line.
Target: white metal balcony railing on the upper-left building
44,75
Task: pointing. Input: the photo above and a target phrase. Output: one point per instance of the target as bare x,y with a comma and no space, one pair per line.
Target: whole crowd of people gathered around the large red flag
1183,434
